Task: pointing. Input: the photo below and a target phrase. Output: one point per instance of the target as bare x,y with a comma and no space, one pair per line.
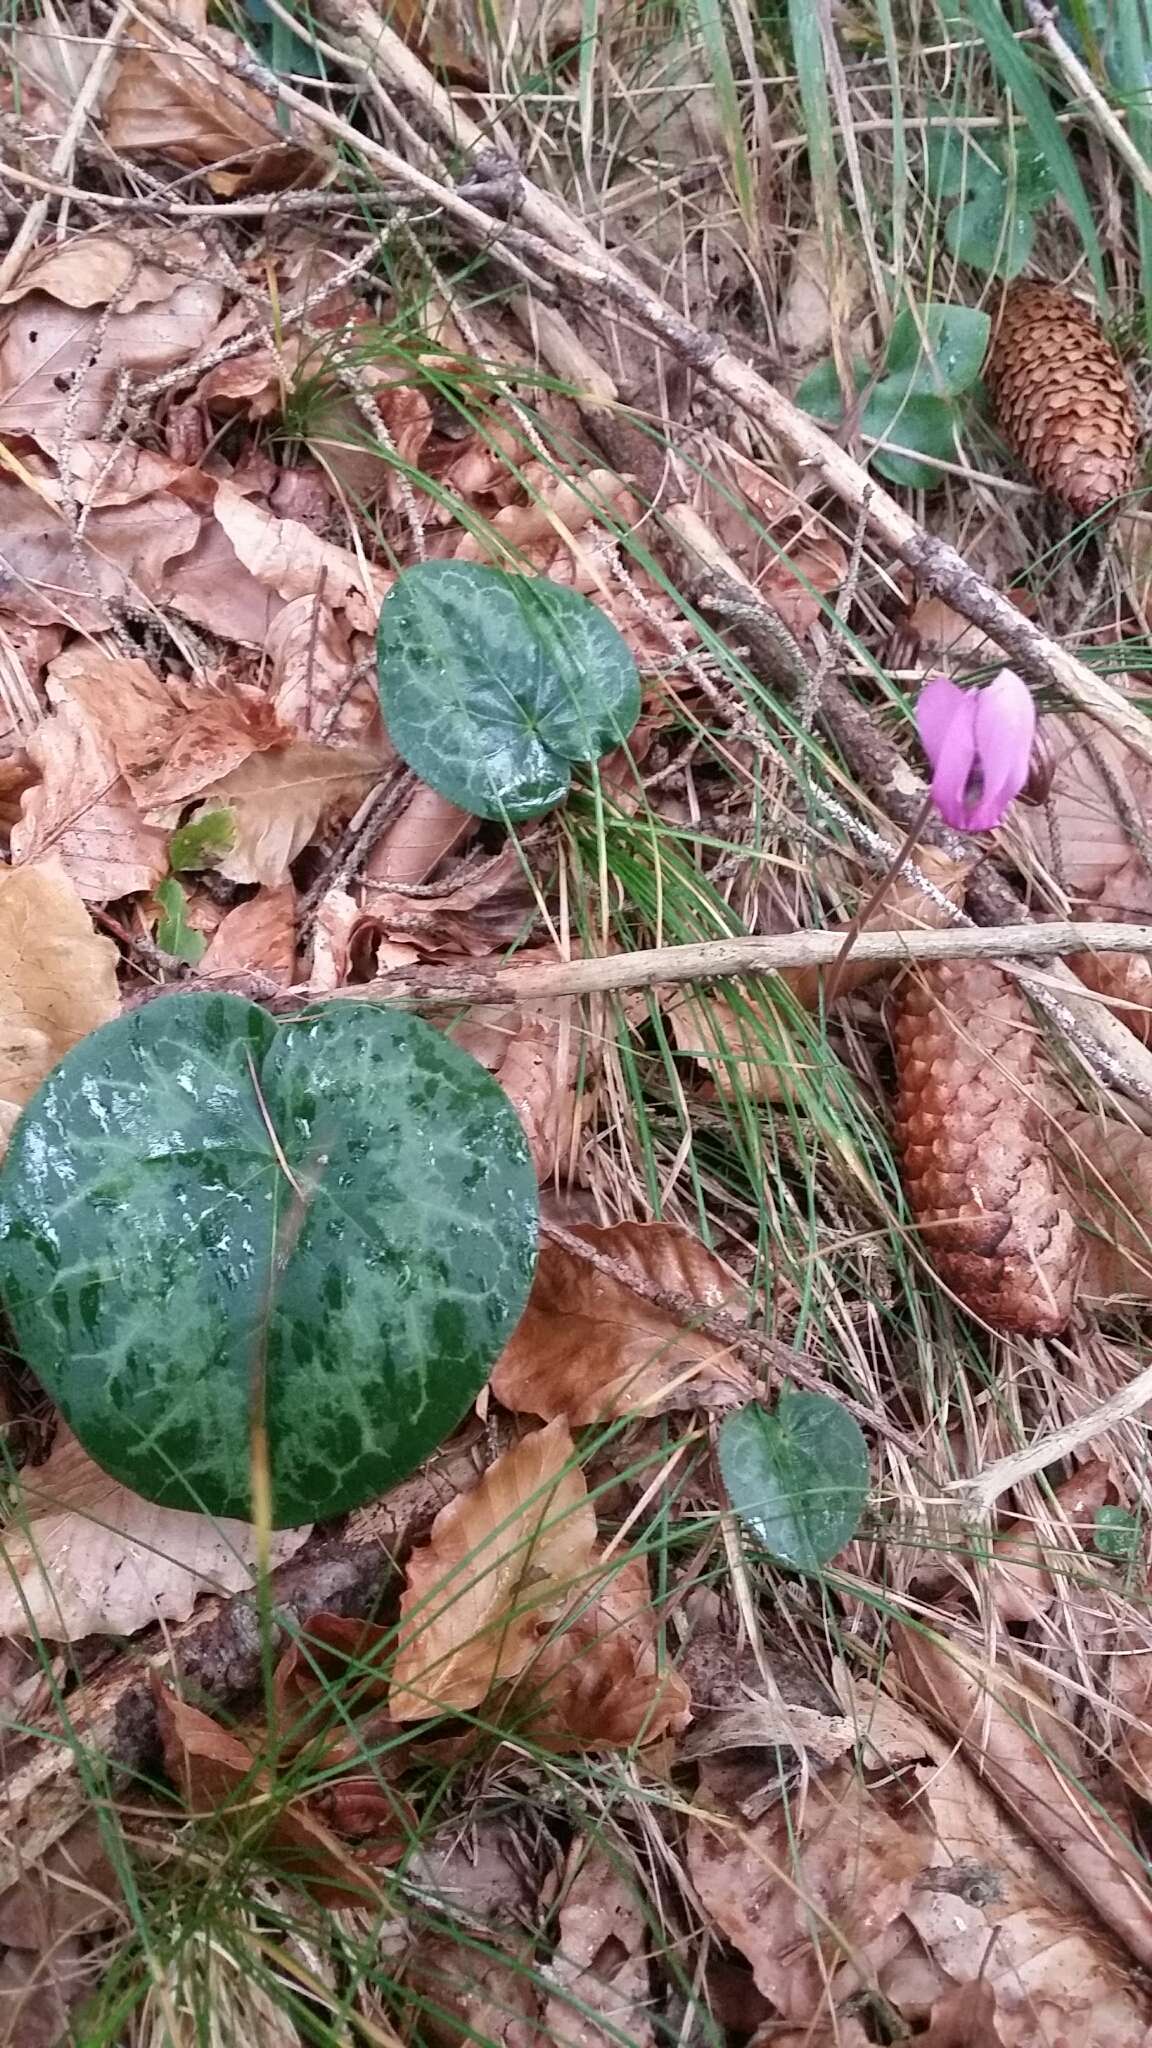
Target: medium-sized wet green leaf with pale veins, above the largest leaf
493,685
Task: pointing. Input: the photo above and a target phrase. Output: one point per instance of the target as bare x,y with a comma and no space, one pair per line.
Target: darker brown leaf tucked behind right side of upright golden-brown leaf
598,1680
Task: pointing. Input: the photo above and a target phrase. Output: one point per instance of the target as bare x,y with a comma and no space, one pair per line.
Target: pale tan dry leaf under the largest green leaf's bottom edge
87,1558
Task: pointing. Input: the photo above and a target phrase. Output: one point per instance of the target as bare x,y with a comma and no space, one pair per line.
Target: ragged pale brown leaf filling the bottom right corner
997,1912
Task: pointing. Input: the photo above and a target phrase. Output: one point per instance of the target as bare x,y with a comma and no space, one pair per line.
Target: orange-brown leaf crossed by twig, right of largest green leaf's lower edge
589,1347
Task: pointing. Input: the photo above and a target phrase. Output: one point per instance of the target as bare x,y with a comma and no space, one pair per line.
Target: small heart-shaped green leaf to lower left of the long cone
798,1478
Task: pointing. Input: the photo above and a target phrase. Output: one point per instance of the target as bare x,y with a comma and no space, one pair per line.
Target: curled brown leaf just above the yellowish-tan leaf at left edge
81,814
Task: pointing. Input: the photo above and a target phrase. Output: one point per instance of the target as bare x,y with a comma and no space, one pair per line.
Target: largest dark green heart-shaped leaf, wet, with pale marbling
202,1205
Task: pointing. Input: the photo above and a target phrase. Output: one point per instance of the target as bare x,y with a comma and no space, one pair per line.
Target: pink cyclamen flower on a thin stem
979,744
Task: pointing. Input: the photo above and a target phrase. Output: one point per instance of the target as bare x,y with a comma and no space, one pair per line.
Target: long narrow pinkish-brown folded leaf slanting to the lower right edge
1030,1758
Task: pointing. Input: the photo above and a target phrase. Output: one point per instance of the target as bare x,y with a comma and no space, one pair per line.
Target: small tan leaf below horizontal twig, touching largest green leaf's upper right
534,1052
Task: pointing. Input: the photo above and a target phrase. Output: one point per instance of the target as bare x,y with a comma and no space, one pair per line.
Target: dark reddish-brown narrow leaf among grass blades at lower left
220,1775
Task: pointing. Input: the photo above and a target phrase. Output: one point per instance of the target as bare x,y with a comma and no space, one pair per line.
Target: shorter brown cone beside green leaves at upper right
1063,398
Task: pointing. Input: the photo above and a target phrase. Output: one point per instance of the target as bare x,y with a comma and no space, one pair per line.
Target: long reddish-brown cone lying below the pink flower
977,1164
